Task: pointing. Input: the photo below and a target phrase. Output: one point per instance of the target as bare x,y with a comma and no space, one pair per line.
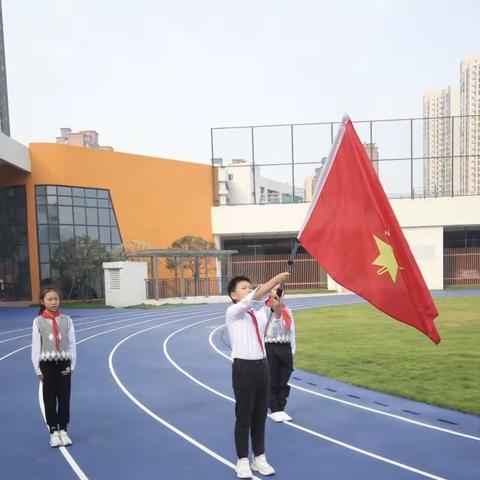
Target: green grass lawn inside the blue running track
359,345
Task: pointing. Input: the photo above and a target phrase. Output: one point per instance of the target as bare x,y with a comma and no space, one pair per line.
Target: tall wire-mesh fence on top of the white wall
414,158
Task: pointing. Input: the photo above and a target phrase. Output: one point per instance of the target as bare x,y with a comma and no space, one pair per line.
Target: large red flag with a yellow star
352,232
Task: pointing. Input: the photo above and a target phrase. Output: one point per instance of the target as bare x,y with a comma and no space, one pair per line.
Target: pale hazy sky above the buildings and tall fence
152,76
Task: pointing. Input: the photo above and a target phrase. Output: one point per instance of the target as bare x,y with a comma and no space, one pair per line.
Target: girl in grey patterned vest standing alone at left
53,357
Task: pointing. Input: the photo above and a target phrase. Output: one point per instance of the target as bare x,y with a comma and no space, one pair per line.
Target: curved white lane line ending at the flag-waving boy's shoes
160,420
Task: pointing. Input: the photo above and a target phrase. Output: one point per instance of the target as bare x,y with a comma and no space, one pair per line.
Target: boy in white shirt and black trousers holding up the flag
246,321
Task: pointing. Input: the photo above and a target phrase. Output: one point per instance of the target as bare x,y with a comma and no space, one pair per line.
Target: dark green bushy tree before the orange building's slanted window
78,261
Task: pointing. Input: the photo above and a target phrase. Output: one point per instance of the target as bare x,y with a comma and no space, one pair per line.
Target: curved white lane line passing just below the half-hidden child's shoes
291,424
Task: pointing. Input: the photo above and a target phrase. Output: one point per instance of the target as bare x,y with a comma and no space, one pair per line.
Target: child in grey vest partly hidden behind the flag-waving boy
280,344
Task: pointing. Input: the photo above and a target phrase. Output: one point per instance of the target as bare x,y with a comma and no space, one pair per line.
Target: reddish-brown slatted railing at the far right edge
461,267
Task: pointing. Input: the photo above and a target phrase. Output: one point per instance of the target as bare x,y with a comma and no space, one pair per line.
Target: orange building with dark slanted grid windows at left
110,196
